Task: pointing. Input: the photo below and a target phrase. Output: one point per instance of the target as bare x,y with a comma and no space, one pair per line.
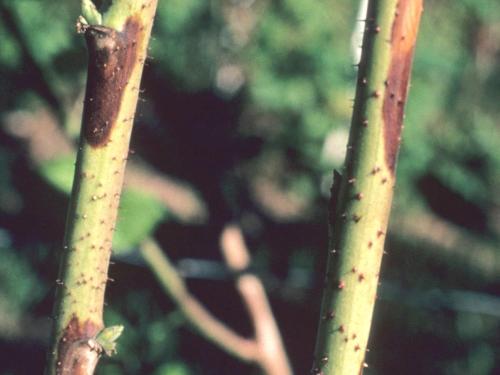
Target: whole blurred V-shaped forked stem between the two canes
266,349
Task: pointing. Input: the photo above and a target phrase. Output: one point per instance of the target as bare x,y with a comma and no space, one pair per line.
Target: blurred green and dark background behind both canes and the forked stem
244,114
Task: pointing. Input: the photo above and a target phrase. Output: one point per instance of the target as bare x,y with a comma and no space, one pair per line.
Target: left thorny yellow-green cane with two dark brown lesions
117,50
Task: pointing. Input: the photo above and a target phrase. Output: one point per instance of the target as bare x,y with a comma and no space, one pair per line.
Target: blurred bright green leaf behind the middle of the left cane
139,214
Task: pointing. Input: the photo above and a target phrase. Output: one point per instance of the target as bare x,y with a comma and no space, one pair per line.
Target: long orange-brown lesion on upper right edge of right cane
403,39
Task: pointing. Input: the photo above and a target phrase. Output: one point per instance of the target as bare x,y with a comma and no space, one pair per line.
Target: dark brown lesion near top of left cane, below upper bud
112,57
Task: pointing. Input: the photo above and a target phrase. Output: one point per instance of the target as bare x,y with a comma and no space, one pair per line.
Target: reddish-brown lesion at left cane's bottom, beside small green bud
78,352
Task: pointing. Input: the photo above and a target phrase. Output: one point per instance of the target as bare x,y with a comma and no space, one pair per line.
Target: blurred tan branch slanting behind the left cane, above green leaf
45,140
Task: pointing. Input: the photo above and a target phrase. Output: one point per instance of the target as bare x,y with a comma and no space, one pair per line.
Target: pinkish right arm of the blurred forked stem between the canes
273,358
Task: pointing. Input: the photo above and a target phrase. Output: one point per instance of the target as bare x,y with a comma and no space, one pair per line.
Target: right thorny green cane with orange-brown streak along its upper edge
359,212
